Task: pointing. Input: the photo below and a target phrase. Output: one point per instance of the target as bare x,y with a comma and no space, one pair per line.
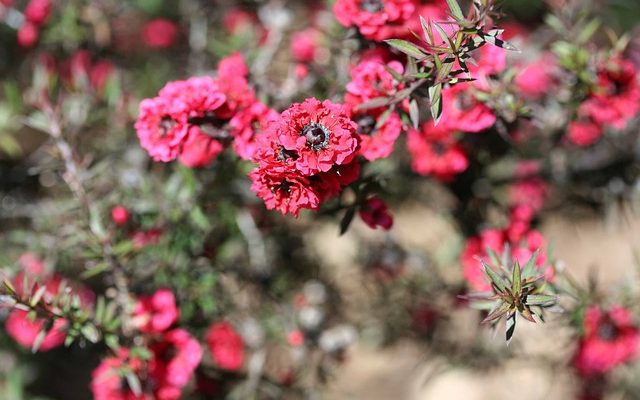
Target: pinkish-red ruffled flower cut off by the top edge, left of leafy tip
377,19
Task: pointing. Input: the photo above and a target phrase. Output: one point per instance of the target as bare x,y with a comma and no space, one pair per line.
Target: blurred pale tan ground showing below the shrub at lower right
408,371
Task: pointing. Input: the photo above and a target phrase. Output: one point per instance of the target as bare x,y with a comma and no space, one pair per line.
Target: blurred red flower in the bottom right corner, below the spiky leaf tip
610,339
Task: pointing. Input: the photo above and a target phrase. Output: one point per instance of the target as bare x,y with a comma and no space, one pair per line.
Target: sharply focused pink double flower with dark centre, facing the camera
320,133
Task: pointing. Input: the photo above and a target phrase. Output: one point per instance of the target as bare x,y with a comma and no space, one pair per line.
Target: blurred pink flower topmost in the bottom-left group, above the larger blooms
157,312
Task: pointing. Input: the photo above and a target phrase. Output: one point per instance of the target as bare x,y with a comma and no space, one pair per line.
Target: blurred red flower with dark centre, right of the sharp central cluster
435,151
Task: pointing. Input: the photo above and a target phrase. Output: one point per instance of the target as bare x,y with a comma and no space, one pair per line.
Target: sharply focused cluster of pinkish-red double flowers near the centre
306,156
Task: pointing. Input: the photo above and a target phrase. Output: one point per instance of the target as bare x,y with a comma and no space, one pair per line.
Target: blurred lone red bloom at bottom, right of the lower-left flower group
226,346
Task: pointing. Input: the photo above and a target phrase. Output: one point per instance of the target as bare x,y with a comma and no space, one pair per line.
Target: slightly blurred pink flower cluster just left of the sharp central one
196,119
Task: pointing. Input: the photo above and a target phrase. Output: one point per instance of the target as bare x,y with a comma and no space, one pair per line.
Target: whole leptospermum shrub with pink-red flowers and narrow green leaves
182,260
